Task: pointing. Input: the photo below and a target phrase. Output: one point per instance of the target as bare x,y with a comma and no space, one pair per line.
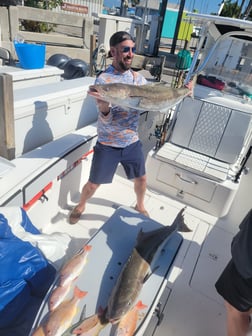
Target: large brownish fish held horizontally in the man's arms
152,97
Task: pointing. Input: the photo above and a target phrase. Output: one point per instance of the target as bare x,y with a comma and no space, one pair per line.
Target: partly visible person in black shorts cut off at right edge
235,282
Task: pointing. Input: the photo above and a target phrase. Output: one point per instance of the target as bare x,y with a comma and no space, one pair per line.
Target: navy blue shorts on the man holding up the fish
106,159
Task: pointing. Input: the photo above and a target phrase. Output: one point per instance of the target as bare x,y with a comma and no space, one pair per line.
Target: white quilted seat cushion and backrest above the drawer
209,139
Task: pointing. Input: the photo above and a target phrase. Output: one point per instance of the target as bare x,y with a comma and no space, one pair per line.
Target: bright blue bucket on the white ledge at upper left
31,56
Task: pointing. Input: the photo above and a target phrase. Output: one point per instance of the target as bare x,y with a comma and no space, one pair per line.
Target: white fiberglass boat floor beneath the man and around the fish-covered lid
193,307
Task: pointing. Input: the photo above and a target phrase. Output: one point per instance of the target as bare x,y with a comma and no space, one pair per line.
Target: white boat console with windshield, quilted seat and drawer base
209,138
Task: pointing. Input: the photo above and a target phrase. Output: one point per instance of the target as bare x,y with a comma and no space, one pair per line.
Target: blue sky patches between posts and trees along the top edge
203,6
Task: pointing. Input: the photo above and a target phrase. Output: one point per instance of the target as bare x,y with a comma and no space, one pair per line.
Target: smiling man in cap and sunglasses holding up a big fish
118,140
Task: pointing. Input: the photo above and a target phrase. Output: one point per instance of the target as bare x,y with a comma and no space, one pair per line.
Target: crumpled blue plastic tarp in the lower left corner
24,270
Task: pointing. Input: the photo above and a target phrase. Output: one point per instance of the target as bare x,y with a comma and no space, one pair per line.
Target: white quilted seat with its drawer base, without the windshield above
207,145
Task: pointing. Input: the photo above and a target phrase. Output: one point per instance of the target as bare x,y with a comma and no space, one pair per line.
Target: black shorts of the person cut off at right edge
234,288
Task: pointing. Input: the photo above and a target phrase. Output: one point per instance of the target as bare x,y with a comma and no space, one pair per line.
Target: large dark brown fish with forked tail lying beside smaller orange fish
137,269
